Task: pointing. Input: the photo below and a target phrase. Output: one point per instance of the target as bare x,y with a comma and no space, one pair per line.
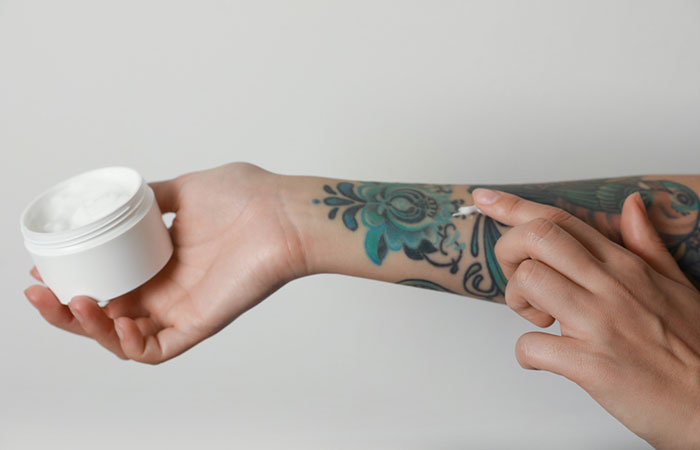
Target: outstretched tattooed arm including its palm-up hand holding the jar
241,232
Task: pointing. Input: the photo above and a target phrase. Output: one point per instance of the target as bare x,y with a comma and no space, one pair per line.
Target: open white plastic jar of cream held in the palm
99,234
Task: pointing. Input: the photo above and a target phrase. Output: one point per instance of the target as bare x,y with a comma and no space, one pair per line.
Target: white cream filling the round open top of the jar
82,200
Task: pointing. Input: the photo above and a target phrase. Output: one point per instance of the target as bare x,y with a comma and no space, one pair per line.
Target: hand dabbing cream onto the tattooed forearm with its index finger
629,318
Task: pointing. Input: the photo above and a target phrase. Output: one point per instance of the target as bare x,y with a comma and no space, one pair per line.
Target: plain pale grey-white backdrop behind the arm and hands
427,91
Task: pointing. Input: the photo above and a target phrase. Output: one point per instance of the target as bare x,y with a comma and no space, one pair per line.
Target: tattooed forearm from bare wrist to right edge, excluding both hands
405,232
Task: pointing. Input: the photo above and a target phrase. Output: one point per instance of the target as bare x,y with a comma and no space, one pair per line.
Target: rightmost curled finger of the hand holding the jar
151,349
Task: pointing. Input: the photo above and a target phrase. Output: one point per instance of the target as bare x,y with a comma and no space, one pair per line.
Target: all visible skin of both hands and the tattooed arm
625,307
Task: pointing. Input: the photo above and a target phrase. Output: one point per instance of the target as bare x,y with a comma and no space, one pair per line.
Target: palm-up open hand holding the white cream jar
233,247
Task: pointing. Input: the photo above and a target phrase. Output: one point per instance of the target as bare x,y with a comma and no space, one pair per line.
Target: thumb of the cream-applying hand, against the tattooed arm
640,237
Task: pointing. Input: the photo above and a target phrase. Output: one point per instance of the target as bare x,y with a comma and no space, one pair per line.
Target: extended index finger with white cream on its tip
513,210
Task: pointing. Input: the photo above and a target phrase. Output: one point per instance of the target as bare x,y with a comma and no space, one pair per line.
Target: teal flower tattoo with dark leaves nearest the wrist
412,217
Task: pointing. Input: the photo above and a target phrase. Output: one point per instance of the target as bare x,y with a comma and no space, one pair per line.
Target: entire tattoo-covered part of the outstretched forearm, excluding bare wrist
416,220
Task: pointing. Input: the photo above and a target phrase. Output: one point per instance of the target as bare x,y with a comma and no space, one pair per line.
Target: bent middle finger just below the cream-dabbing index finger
545,241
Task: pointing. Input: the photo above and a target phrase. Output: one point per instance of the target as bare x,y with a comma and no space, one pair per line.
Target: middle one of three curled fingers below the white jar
96,323
